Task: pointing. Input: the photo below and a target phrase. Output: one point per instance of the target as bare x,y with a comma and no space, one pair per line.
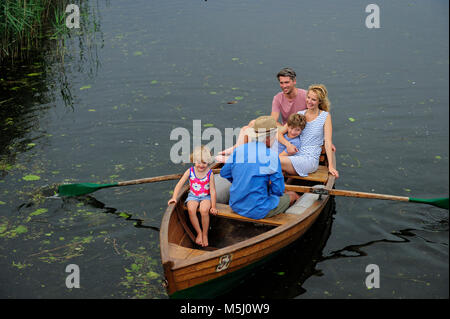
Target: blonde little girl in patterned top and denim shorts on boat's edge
202,192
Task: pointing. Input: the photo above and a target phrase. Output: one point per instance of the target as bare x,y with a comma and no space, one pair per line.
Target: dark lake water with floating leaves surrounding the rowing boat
154,66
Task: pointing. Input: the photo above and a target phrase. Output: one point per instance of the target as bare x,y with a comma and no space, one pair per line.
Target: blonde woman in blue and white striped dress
318,129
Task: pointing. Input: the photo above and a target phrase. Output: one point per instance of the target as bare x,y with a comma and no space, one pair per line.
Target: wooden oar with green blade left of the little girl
87,188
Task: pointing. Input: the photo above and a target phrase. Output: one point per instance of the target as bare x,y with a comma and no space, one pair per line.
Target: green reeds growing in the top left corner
25,23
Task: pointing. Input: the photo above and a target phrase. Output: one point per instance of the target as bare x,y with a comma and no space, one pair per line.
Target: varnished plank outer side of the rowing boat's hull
184,274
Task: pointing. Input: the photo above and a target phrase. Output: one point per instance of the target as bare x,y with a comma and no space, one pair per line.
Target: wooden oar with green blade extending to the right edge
438,202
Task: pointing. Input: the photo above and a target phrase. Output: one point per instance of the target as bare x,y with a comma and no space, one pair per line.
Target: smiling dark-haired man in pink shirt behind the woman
290,100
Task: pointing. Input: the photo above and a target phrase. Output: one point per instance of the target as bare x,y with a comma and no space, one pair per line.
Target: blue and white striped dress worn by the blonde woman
311,140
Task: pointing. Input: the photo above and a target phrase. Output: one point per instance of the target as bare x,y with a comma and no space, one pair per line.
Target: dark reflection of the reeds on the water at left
30,87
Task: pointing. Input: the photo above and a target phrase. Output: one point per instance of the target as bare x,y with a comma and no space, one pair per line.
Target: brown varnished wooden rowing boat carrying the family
236,244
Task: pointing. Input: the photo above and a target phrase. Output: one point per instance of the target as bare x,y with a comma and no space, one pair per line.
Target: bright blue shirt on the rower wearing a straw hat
250,169
